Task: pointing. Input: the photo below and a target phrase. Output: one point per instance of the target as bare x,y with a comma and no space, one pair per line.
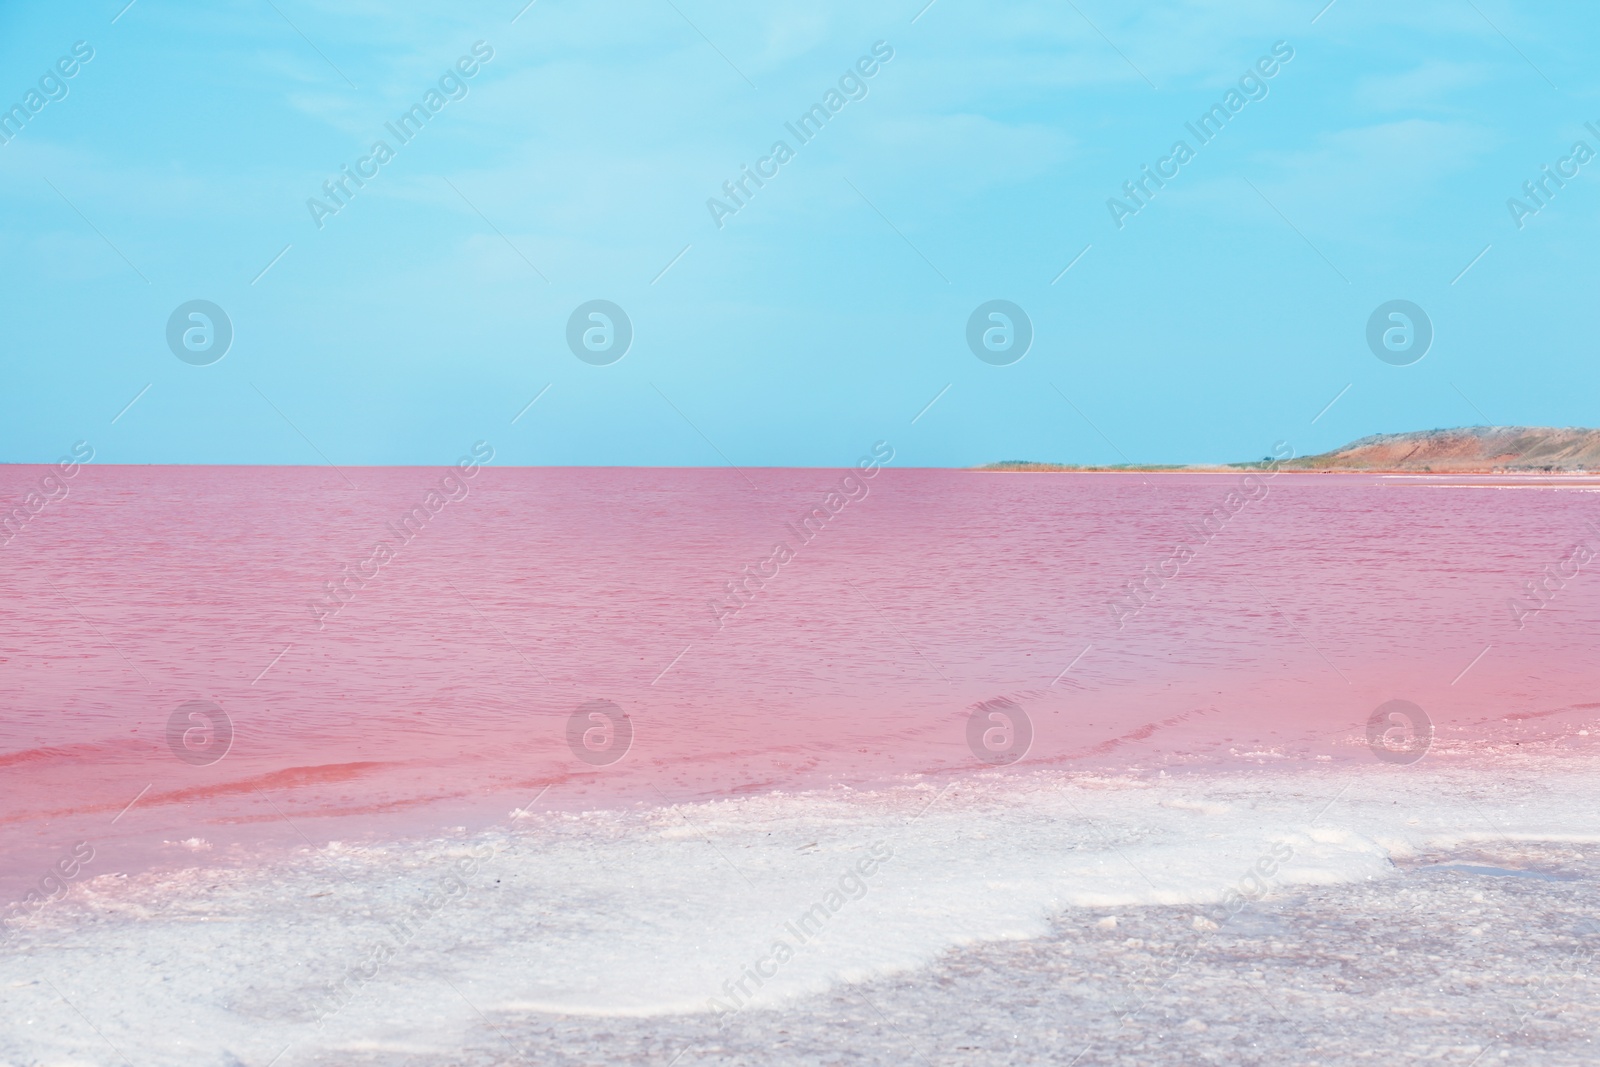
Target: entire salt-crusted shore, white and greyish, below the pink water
1370,914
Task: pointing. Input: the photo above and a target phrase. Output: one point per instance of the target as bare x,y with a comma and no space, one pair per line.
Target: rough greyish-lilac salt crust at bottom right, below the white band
1439,965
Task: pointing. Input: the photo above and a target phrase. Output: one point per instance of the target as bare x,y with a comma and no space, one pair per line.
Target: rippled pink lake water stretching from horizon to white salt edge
441,693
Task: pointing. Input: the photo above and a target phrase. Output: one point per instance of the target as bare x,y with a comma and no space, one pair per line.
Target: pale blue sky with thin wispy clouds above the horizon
826,313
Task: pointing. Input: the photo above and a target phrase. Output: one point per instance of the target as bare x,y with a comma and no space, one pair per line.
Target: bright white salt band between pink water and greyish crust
401,949
